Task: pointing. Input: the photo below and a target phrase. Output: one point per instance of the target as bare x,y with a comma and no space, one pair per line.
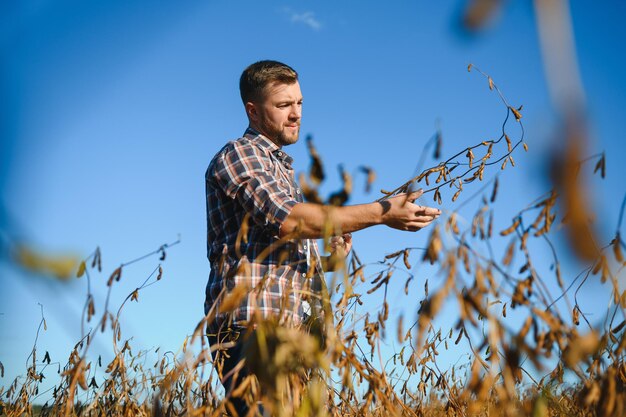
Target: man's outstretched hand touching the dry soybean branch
399,212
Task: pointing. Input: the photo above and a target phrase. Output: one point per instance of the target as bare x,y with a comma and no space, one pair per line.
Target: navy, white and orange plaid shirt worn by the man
250,191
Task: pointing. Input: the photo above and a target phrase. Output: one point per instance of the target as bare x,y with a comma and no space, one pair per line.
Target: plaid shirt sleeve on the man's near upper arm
244,172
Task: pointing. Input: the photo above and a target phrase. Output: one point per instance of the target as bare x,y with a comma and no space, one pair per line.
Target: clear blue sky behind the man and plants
112,111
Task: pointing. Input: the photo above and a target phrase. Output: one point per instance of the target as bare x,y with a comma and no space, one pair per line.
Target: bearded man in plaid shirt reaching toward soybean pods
261,234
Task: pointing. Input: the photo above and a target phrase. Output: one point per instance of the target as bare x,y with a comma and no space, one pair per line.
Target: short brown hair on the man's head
257,76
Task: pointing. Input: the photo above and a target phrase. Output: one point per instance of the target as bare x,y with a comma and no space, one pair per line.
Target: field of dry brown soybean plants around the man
529,349
